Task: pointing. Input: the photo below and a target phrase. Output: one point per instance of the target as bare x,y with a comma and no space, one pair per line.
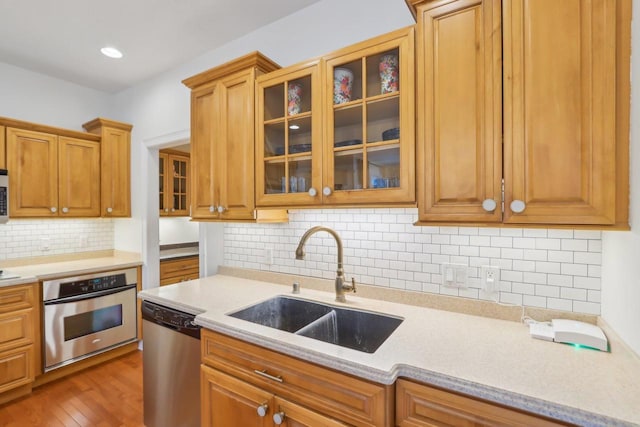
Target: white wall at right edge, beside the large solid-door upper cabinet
621,250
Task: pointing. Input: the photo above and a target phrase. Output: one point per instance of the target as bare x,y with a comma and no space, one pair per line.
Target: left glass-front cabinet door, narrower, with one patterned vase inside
288,137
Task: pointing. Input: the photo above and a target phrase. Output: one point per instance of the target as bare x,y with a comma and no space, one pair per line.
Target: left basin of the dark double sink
286,314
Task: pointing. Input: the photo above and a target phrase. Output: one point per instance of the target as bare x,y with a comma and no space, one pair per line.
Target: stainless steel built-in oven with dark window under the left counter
88,314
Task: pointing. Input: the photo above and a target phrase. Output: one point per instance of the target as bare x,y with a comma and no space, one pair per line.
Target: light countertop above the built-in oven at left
35,270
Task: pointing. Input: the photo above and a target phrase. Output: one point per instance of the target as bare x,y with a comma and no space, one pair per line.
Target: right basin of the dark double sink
355,329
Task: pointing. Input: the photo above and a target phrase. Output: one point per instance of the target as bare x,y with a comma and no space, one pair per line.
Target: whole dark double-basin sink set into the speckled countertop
356,329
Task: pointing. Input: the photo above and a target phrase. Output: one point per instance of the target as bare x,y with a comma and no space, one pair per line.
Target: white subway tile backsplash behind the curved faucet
557,269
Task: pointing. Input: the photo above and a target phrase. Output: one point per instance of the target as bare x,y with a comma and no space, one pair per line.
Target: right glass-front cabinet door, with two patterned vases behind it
369,155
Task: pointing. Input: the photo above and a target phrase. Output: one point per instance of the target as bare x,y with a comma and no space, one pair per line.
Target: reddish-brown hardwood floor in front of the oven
107,395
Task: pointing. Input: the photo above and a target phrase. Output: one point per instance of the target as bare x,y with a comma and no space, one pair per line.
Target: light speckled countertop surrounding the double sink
492,359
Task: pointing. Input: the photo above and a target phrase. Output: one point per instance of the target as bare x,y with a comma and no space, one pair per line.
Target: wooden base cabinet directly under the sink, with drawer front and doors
239,378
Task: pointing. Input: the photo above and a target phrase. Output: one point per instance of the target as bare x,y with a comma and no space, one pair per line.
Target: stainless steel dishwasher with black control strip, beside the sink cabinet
171,367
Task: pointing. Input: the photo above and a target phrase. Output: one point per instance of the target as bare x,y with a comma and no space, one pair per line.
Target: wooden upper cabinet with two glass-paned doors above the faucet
339,130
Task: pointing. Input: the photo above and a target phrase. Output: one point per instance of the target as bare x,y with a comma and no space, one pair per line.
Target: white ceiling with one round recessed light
62,38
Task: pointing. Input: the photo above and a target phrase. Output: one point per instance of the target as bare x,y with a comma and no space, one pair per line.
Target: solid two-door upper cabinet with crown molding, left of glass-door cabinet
222,139
